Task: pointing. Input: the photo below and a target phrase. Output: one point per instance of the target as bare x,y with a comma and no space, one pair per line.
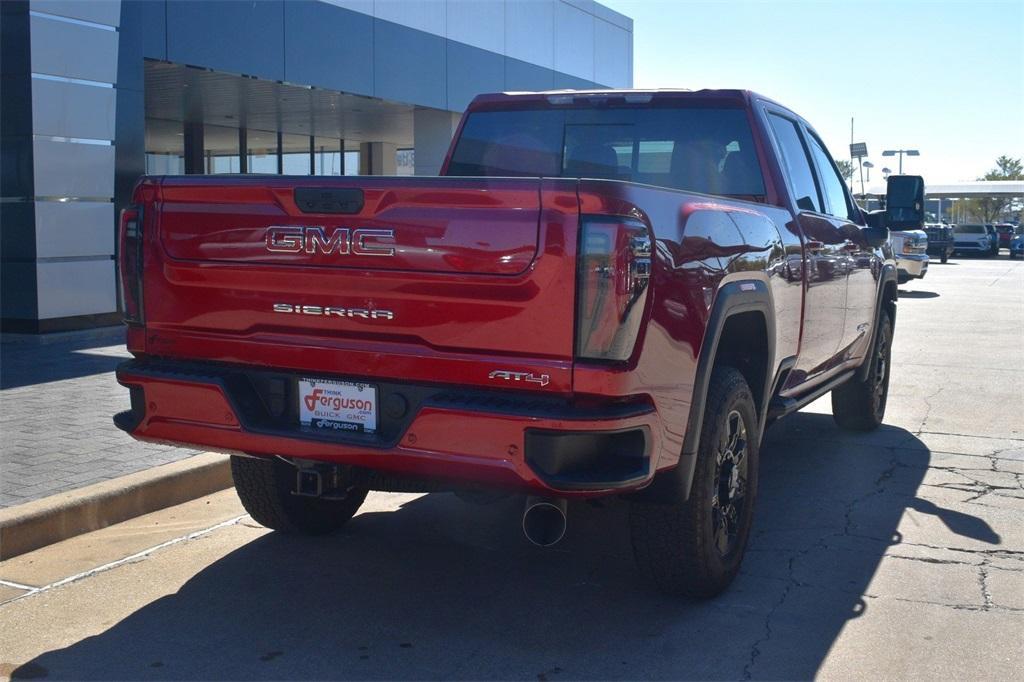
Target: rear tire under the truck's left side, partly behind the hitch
266,486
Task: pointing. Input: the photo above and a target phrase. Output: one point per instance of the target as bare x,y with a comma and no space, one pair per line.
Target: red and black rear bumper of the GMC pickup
509,440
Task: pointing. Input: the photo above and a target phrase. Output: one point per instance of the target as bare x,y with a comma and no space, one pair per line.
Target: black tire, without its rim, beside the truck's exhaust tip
675,544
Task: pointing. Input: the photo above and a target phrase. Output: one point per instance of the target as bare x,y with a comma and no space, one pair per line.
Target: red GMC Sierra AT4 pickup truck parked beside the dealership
606,293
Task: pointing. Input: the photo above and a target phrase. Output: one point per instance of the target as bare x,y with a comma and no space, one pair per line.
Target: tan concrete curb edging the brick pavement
58,518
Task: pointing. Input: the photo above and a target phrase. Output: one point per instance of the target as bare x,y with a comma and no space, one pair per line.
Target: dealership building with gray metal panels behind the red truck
98,93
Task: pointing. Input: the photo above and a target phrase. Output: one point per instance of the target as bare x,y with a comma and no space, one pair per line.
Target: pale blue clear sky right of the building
945,78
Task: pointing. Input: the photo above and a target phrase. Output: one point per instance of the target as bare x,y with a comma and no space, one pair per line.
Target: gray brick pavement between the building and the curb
57,401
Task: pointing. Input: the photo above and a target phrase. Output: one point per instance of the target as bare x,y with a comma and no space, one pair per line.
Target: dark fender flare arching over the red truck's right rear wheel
734,299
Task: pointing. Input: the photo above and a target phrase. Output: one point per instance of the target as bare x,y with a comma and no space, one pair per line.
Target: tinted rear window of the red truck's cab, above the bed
701,150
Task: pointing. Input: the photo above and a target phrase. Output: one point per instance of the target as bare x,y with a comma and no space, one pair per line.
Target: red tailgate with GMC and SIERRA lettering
432,279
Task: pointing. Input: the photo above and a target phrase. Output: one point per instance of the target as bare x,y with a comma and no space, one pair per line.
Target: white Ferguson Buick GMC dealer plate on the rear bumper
338,406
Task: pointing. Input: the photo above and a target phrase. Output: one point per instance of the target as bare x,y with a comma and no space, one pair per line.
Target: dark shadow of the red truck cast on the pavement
441,589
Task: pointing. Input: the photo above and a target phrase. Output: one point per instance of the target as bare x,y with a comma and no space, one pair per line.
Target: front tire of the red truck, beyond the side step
860,405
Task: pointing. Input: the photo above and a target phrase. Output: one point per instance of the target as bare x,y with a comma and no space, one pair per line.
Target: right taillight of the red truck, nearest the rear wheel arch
614,273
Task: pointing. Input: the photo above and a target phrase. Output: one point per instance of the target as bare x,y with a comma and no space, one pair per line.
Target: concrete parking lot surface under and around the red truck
897,555
